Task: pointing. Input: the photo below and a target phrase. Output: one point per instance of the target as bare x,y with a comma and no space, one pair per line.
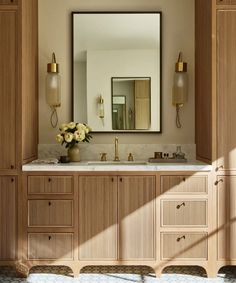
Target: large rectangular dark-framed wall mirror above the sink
111,53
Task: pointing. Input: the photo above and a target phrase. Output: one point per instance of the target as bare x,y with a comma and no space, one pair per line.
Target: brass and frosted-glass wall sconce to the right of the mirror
180,87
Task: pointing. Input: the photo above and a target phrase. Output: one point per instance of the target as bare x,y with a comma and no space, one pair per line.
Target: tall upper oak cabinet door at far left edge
8,77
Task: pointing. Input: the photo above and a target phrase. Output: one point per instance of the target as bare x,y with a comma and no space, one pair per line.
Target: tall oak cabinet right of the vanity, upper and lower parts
216,115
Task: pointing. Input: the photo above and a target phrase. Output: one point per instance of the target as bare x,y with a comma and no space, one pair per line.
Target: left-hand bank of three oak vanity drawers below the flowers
50,228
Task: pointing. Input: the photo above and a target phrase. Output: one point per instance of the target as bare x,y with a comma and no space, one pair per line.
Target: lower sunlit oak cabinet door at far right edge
226,217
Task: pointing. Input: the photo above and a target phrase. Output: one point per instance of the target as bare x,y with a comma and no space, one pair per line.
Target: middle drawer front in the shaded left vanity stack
50,213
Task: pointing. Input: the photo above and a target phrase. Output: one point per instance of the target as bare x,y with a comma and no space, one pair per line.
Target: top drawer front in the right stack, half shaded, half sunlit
184,184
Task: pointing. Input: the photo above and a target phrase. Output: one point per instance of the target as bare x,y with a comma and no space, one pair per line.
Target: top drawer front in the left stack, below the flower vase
50,185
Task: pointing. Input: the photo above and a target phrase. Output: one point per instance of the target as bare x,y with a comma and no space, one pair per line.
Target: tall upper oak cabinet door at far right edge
226,89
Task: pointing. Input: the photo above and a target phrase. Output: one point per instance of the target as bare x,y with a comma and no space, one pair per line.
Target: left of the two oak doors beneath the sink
97,217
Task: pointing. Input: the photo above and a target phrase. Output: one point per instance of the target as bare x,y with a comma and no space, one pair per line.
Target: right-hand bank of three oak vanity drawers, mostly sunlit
184,221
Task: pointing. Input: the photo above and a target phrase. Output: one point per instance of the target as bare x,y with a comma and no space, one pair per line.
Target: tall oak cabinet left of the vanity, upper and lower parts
18,111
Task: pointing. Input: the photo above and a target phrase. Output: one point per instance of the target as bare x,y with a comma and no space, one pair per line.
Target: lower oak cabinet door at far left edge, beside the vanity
7,218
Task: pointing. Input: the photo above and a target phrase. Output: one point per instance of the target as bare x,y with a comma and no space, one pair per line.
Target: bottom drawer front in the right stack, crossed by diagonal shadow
184,246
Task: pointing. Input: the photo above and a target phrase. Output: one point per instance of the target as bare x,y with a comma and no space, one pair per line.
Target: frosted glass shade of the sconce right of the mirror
180,88
